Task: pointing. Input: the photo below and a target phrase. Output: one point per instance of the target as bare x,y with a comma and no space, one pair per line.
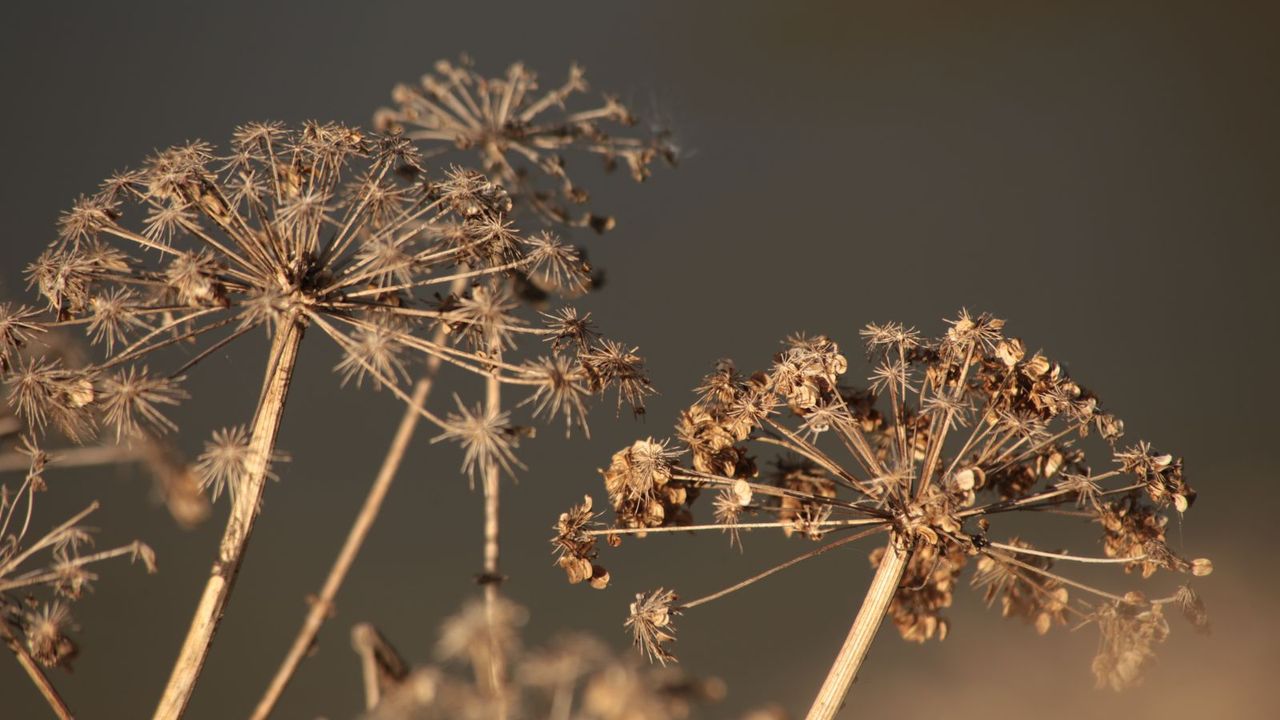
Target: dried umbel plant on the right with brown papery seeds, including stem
973,429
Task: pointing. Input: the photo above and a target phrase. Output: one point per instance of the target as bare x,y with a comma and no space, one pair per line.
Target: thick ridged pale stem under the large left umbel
240,523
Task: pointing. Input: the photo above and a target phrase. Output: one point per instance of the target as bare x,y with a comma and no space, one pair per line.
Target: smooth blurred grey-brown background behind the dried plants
1101,175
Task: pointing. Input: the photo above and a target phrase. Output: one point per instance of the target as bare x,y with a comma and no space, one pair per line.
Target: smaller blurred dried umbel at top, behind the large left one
523,133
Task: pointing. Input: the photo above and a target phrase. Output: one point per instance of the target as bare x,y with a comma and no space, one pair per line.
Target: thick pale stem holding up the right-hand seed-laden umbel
845,668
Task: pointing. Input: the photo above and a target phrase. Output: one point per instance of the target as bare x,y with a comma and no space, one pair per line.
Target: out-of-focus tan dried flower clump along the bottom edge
574,677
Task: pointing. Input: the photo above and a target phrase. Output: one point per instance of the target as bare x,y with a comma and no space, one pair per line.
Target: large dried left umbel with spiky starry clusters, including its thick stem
327,227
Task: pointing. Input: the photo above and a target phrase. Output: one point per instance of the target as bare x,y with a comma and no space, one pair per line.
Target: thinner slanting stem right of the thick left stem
323,605
